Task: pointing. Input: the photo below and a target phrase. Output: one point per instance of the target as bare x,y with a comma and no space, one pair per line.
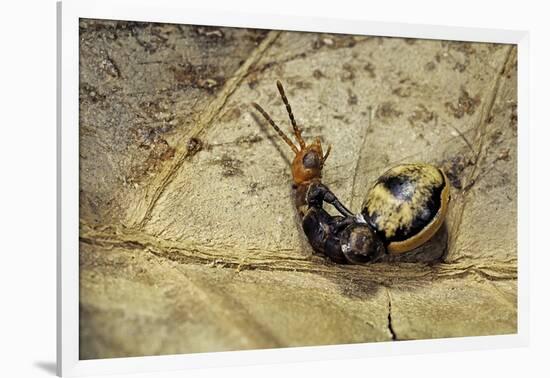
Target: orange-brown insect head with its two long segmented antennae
309,159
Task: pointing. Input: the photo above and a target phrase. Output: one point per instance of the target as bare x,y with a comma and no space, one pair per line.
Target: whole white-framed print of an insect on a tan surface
284,189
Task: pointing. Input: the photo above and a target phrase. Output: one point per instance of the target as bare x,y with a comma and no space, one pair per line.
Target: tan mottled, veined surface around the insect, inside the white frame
189,238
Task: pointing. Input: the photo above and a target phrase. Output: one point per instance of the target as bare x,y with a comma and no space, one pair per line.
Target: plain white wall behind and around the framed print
27,185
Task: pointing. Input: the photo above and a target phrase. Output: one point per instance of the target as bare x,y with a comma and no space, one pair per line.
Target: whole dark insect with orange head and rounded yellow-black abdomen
403,209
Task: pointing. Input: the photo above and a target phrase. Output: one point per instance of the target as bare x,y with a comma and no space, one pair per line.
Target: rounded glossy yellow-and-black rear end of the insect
407,205
